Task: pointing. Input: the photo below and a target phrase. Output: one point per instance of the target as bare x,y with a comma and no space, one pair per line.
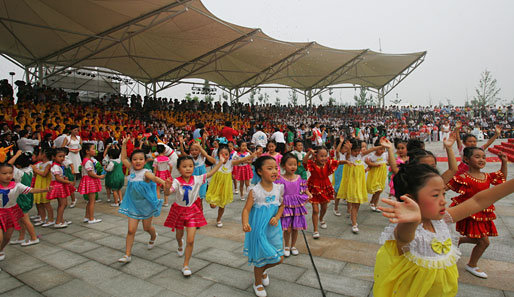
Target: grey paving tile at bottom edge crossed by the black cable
337,284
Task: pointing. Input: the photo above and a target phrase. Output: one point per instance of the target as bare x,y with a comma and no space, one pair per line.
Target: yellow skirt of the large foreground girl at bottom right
397,275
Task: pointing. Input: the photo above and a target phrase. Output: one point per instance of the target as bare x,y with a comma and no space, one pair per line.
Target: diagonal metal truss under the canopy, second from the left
200,62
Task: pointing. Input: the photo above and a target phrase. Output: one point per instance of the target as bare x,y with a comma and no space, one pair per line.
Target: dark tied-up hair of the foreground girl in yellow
411,178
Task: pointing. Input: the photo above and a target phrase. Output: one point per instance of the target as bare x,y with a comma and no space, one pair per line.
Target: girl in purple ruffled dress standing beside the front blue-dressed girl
296,195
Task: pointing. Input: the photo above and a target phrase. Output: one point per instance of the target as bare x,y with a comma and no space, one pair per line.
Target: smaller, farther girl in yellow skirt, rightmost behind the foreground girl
377,175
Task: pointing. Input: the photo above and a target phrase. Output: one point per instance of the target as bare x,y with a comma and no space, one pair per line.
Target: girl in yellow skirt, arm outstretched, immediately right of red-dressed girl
354,189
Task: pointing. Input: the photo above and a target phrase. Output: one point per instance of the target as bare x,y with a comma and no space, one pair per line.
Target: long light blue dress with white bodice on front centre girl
264,243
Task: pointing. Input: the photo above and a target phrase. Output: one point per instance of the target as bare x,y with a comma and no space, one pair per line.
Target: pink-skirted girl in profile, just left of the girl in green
90,182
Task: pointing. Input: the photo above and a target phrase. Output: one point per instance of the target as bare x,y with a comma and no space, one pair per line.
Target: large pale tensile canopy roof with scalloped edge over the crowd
167,40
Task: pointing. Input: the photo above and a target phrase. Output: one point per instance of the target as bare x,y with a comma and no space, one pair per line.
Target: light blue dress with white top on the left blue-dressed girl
140,200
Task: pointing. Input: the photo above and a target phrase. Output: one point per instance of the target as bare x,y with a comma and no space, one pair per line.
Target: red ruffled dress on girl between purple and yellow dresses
319,183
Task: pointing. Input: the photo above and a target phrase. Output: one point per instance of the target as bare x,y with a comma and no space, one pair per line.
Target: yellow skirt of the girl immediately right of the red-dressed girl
353,184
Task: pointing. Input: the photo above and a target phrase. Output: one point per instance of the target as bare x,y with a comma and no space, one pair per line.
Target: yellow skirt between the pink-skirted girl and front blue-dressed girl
219,192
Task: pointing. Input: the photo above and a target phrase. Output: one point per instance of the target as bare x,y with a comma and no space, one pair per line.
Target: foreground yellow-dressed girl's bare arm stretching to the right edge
481,200
